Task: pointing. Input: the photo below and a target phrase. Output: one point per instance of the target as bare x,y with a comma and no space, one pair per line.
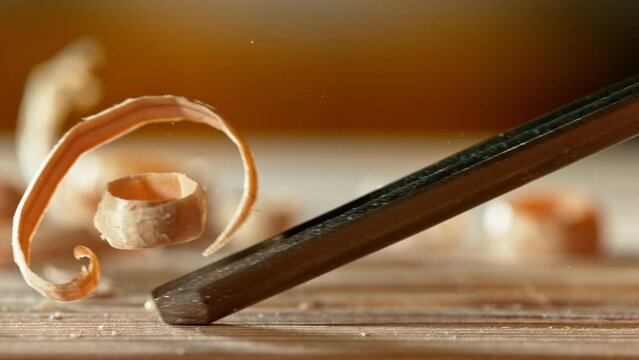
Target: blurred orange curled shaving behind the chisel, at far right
543,222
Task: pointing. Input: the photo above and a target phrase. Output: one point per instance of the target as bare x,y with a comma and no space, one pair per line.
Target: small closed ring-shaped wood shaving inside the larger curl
150,210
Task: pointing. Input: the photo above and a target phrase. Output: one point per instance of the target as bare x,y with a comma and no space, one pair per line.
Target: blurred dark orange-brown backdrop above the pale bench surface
337,66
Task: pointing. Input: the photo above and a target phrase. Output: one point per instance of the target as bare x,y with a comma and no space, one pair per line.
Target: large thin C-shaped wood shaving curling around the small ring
90,134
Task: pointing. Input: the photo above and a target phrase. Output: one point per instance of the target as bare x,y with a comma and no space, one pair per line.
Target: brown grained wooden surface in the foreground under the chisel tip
369,309
